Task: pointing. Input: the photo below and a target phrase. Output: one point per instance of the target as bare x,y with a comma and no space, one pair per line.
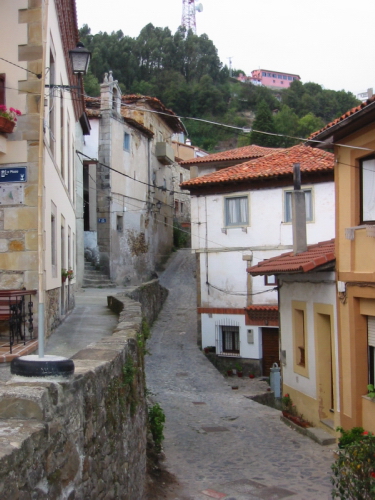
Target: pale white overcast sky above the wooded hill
329,42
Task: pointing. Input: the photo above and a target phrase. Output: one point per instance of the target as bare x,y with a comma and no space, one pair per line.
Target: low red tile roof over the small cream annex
314,257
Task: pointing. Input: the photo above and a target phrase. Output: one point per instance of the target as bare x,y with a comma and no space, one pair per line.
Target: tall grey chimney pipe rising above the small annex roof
298,213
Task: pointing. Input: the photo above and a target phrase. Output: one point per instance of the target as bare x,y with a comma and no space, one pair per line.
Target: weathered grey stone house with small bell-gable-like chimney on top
130,192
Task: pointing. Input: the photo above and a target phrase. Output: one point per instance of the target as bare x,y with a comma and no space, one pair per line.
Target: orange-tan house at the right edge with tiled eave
352,136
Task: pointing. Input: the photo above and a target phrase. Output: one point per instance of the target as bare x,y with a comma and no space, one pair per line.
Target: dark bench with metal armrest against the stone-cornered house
16,307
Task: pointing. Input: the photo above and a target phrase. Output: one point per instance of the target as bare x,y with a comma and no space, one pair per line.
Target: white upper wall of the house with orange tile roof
267,236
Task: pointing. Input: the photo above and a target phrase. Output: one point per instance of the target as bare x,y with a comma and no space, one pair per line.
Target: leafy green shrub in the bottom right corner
354,470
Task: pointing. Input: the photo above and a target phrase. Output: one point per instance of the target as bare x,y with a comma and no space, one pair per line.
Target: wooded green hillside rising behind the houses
184,71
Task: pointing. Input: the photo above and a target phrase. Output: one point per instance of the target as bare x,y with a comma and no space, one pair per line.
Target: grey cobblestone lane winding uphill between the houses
218,443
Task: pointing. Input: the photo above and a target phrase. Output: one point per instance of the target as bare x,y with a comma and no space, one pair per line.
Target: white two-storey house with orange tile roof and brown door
242,215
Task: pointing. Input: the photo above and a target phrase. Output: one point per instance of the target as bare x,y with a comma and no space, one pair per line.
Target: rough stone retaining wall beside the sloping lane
83,437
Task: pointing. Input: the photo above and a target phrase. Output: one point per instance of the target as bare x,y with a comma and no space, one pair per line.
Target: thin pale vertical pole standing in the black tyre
41,280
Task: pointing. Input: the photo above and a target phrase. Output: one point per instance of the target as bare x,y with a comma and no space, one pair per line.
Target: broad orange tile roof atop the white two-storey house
270,166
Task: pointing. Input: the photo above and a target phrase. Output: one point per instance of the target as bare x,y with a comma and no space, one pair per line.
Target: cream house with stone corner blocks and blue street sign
39,203
